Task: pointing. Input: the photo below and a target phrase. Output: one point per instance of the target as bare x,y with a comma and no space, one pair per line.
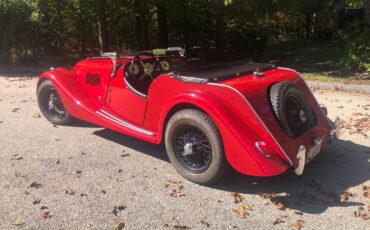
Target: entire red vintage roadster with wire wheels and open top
257,118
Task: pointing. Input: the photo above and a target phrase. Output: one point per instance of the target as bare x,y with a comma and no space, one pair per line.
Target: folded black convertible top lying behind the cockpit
220,72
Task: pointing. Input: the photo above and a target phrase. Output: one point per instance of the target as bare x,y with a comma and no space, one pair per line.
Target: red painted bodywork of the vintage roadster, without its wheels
238,106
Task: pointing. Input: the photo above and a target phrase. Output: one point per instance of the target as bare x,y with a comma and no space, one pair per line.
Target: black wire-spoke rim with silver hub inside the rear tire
192,148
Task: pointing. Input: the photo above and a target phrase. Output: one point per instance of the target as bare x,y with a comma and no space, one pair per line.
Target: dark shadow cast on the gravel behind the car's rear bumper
339,167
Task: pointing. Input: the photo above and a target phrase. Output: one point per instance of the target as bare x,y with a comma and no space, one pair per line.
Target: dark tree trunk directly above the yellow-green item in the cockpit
162,24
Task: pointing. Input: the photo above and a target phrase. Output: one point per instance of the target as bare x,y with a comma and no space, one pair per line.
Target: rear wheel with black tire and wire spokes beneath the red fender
206,147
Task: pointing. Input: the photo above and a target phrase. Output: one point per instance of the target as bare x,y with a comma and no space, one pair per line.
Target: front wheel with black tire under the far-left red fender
55,112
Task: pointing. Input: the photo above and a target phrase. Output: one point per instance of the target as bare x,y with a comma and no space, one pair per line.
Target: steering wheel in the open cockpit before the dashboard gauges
139,69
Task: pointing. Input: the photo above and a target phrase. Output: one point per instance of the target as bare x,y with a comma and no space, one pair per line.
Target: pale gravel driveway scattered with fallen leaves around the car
88,177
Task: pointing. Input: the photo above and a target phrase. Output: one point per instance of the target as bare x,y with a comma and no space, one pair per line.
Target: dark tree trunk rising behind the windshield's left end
102,27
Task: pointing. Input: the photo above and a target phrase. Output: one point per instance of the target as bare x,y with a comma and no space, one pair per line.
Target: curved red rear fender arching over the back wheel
238,139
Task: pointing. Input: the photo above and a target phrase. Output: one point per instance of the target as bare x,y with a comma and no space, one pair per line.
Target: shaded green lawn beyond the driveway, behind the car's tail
317,60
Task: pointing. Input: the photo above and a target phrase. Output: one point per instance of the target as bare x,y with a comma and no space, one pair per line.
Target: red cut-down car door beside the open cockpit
123,102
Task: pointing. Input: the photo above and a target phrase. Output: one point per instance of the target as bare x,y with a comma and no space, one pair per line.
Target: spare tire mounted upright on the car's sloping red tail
291,109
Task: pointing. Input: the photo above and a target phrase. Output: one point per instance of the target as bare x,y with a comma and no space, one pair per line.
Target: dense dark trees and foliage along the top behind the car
36,31
